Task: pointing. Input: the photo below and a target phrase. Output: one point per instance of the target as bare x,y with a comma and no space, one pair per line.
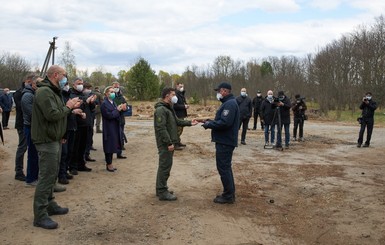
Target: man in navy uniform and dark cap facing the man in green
224,132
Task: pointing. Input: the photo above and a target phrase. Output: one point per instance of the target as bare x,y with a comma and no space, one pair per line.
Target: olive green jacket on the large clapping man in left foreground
49,114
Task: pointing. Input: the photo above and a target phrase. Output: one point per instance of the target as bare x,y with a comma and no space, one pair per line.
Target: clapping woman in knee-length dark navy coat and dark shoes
111,127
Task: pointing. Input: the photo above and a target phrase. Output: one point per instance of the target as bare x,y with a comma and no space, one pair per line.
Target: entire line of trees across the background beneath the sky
335,77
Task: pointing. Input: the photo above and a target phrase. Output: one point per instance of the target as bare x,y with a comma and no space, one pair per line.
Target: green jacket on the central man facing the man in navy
166,124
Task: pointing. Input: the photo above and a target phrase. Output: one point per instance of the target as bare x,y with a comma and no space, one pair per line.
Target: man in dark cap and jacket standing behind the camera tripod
284,104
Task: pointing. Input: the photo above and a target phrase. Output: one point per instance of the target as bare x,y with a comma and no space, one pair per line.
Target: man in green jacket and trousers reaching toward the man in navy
166,133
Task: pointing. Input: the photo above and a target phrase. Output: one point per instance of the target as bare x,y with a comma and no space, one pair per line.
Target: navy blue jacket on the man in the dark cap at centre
225,126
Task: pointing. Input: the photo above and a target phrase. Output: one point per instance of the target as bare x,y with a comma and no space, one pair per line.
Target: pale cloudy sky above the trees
174,34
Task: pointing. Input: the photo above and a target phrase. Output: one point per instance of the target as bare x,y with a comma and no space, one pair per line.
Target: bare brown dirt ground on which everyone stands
321,191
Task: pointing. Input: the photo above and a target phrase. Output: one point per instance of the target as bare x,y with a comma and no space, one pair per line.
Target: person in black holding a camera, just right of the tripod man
299,107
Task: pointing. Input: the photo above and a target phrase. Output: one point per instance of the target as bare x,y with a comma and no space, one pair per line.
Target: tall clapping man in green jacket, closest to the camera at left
48,128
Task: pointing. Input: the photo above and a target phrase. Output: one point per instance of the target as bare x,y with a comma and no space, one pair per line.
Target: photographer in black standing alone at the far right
368,106
